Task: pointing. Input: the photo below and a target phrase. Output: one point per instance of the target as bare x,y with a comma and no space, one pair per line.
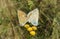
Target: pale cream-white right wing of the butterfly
33,17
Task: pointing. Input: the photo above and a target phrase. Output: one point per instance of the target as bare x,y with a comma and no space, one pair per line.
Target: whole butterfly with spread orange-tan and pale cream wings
31,17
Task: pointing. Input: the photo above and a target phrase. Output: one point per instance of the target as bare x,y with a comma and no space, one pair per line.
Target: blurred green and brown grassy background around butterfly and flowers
49,19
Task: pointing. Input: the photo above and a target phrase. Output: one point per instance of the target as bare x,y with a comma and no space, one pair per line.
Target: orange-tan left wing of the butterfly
22,17
